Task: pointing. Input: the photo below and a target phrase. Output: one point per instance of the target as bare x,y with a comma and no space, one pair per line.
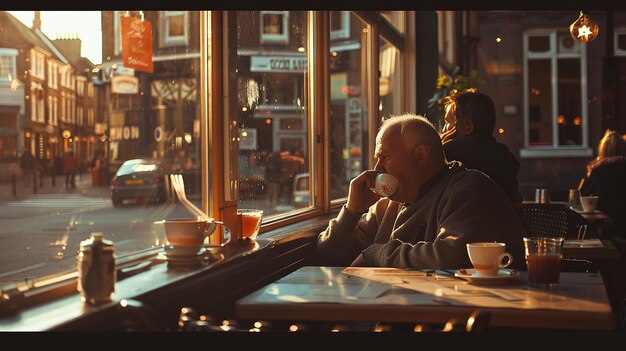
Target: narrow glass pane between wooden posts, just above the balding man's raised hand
348,109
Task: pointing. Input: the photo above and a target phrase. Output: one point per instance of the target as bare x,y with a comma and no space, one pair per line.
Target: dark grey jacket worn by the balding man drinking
457,207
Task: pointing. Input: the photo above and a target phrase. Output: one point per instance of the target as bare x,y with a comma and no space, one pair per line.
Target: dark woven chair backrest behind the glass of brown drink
550,220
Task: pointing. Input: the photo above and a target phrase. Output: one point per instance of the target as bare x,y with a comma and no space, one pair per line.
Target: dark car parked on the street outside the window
139,179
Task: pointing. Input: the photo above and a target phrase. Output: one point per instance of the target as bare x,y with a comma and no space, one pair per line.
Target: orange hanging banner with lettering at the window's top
136,43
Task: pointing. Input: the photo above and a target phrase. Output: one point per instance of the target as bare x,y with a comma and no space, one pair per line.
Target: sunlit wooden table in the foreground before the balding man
314,293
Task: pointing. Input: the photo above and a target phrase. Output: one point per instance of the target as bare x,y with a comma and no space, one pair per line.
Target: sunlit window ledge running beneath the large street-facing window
68,310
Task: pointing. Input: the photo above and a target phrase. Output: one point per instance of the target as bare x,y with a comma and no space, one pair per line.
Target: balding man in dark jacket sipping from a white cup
439,207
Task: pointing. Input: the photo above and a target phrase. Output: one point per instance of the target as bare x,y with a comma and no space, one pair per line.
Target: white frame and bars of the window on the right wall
553,55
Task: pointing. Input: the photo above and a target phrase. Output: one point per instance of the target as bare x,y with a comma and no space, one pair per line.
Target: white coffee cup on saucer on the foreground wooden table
488,257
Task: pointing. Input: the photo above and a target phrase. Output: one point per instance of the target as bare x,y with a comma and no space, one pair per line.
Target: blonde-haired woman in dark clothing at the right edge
606,178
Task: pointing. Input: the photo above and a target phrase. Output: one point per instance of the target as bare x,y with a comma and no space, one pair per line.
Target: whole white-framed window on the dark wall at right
555,95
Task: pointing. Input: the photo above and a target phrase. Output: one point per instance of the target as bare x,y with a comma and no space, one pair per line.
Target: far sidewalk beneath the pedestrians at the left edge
83,187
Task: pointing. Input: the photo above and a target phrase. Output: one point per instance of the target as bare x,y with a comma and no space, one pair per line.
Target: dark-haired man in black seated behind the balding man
467,137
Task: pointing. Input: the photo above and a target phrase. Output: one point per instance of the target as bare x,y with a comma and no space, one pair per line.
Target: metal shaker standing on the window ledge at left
96,269
